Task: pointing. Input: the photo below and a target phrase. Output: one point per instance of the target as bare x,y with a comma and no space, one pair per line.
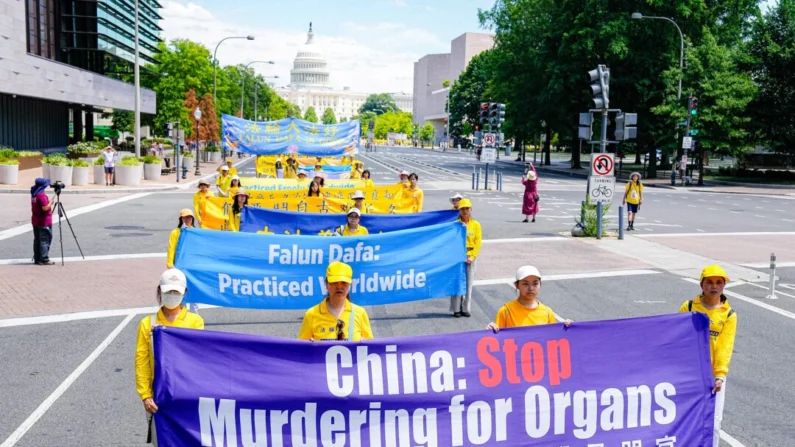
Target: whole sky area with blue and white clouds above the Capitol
370,46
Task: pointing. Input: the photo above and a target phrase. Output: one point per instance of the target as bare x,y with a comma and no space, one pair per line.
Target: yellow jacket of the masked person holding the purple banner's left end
145,358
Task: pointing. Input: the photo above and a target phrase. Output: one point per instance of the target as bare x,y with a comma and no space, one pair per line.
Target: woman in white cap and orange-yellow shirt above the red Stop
525,310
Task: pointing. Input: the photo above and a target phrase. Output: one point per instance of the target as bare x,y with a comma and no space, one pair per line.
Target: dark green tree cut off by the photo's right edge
772,48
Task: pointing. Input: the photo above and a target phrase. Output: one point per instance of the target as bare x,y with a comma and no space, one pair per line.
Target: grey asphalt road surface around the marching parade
101,407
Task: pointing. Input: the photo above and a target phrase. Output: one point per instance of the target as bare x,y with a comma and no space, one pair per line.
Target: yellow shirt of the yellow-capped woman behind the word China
319,324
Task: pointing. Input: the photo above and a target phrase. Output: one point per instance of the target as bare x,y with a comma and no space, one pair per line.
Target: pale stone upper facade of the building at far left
36,77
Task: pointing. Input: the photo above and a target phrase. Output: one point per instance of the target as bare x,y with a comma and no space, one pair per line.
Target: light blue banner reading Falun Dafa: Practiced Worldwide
263,271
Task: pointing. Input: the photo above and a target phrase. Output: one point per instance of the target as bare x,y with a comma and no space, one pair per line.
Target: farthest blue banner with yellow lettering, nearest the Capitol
290,136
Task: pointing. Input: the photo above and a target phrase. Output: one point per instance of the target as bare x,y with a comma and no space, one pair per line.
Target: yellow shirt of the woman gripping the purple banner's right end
722,329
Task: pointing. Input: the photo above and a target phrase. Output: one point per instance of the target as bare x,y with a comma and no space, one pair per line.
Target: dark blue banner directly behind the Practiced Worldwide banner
255,219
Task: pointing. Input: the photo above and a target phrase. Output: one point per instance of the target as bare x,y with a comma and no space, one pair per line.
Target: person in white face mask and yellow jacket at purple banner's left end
170,293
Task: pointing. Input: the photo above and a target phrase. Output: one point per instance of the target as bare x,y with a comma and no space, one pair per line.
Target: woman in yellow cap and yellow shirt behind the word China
336,318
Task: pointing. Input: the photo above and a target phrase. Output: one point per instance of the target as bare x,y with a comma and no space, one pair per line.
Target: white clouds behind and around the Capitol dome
375,57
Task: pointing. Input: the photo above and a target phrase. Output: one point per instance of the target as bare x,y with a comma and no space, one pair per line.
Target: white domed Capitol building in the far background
309,86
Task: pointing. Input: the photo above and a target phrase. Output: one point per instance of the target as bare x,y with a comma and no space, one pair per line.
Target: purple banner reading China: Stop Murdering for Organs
642,382
